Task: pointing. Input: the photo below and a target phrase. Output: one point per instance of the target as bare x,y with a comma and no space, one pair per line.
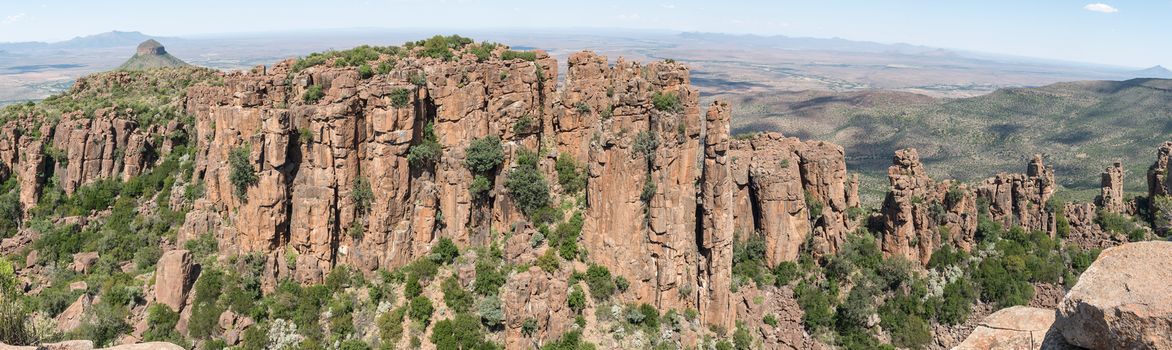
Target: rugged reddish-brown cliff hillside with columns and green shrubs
451,195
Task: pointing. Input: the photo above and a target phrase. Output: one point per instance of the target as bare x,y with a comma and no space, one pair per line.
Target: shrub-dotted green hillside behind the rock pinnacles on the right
1080,128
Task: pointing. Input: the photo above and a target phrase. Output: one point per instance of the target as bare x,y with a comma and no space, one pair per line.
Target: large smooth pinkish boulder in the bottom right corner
1123,301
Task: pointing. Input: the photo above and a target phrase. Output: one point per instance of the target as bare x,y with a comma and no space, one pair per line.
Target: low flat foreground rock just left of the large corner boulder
1016,328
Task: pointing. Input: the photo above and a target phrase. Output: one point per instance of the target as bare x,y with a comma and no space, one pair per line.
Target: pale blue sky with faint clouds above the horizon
1130,33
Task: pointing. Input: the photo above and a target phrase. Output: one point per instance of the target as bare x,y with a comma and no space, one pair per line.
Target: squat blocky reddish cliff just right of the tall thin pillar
778,181
